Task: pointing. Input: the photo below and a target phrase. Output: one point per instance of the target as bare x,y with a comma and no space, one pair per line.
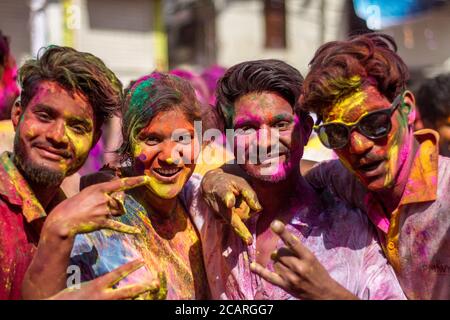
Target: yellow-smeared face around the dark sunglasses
376,162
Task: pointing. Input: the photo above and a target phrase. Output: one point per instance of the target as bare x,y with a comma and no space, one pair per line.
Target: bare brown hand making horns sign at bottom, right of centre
298,271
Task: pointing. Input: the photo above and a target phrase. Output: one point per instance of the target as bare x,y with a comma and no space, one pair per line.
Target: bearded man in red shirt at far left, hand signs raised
66,96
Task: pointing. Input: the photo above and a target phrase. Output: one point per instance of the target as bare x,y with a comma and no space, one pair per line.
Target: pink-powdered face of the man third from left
268,138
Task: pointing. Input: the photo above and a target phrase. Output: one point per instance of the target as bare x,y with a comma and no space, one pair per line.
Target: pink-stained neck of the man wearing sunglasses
391,197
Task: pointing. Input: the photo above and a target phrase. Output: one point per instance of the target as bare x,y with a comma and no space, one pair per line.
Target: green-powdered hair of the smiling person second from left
151,95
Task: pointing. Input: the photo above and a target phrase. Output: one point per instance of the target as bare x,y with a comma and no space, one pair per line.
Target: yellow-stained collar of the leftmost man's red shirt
14,187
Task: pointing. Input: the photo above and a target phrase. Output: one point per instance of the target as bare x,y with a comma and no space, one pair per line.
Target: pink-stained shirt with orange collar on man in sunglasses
416,237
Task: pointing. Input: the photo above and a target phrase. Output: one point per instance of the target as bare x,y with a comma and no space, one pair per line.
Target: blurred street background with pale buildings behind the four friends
201,38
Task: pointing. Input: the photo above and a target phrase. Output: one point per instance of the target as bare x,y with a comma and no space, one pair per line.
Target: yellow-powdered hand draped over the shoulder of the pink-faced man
232,198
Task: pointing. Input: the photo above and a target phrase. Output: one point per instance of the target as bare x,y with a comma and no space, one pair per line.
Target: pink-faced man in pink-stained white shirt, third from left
331,250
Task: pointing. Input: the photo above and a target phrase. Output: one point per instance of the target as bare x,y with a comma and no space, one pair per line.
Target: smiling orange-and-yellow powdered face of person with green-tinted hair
165,150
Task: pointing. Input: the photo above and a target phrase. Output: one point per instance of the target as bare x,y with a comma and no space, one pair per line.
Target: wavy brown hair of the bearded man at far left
76,72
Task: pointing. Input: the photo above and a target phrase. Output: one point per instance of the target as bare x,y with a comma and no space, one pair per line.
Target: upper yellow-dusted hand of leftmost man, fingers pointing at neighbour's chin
93,208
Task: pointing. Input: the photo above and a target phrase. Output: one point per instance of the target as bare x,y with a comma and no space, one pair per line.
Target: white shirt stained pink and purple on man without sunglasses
341,239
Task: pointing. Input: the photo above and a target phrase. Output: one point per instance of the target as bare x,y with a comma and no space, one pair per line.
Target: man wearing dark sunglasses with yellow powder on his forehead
357,88
